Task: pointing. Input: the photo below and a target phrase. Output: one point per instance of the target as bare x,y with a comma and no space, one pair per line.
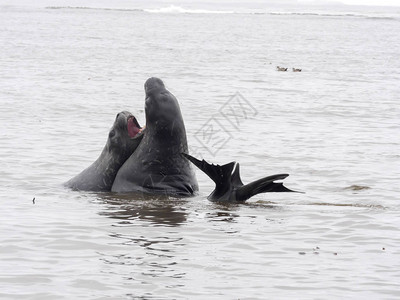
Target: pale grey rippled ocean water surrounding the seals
66,71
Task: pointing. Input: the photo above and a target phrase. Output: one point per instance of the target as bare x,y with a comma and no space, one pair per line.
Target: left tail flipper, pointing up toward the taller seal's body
221,175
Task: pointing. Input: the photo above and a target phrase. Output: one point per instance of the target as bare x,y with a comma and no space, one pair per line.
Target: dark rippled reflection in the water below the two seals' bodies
145,250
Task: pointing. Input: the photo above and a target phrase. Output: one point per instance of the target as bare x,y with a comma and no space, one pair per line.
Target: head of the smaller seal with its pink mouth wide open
125,135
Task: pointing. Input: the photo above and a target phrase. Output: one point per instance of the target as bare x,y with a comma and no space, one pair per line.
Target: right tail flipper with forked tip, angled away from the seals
263,185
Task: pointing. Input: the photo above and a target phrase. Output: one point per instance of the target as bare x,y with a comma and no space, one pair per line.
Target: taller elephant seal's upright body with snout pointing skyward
157,166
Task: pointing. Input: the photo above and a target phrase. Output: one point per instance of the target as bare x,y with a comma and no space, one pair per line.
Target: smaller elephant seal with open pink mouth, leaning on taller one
123,139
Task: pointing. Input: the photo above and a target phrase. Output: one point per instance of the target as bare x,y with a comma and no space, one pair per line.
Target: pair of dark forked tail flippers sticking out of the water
228,185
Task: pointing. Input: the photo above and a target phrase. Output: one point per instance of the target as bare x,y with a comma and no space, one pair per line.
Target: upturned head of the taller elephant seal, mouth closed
162,108
